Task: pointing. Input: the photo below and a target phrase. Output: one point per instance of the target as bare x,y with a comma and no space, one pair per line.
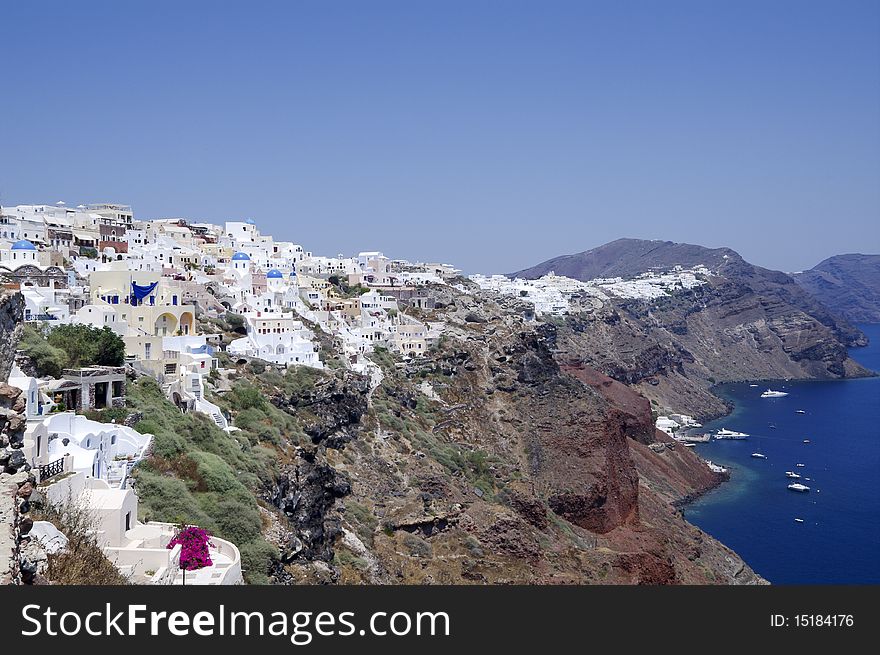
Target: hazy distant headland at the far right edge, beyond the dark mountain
849,285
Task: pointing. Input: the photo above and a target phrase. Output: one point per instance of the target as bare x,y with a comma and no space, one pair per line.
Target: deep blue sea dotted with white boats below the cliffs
754,513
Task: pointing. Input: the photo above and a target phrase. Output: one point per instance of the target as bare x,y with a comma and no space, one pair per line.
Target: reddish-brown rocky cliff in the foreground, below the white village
492,460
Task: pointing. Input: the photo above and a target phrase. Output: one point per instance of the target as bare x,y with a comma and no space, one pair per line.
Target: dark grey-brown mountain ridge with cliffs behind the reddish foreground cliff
744,323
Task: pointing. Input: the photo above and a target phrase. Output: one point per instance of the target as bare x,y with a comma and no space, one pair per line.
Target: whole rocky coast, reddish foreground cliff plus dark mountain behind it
525,452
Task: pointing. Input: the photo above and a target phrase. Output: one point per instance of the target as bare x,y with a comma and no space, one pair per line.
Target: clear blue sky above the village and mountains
493,135
